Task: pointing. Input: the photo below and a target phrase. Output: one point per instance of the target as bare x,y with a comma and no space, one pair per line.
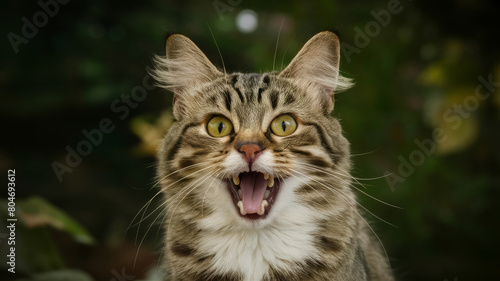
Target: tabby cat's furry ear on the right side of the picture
317,66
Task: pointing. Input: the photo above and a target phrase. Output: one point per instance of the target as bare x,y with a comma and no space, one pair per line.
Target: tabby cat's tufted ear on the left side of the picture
183,68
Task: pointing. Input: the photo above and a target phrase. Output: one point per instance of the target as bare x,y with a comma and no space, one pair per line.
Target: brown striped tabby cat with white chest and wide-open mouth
255,172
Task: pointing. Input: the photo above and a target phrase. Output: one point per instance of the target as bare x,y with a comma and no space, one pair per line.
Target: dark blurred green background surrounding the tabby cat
416,73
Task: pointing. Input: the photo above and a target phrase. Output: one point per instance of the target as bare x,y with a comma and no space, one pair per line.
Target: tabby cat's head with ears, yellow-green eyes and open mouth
253,149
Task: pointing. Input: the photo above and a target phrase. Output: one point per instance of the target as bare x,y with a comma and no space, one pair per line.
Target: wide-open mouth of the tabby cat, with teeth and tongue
253,193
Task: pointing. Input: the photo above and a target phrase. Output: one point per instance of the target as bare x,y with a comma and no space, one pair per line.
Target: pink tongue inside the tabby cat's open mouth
253,186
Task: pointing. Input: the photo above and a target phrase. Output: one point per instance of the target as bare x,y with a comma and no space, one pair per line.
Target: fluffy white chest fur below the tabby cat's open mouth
252,250
